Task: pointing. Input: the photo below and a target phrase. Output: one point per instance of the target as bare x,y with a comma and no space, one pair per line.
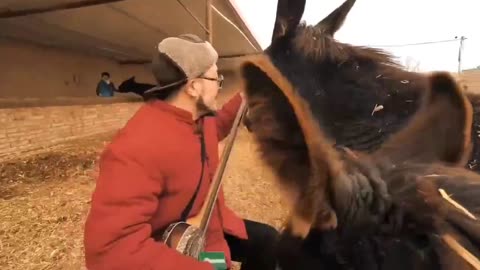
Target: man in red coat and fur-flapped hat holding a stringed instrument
150,171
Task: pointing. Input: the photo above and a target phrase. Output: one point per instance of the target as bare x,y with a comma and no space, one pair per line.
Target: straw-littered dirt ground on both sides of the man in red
44,201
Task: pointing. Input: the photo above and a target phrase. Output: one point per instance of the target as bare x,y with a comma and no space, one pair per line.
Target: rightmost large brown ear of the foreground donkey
441,129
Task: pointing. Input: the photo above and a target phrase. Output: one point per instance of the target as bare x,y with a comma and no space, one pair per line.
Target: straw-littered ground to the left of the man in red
43,202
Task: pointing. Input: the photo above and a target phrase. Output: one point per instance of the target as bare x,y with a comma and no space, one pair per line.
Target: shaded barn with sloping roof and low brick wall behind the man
54,51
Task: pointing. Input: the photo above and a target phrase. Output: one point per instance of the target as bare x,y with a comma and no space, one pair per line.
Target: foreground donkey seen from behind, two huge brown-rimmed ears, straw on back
389,209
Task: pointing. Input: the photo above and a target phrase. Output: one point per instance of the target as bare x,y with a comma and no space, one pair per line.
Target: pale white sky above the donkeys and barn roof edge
393,22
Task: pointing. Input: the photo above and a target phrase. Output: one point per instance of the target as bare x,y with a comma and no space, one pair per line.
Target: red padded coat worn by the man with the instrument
148,173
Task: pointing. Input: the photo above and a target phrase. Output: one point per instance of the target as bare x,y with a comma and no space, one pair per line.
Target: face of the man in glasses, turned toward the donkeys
209,87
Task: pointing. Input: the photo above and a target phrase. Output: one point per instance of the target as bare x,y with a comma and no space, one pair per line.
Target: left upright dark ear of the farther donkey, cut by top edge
289,13
